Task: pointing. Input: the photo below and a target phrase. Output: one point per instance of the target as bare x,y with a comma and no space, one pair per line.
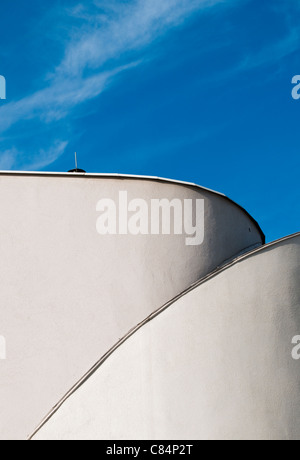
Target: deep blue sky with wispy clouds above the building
195,90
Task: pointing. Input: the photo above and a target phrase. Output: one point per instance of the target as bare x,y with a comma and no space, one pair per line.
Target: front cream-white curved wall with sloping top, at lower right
216,364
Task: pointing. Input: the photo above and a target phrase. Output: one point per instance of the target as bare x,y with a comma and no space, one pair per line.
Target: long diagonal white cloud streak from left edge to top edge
133,28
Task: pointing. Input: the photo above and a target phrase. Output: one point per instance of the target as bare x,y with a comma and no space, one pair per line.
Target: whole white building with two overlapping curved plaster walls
143,308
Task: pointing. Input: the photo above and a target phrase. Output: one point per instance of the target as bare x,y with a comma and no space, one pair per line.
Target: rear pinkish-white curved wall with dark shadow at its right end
68,294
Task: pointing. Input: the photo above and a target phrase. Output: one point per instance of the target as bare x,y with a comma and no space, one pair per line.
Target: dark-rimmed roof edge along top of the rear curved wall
82,175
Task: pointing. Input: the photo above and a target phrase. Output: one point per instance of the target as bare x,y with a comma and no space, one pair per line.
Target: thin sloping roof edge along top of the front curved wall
153,315
